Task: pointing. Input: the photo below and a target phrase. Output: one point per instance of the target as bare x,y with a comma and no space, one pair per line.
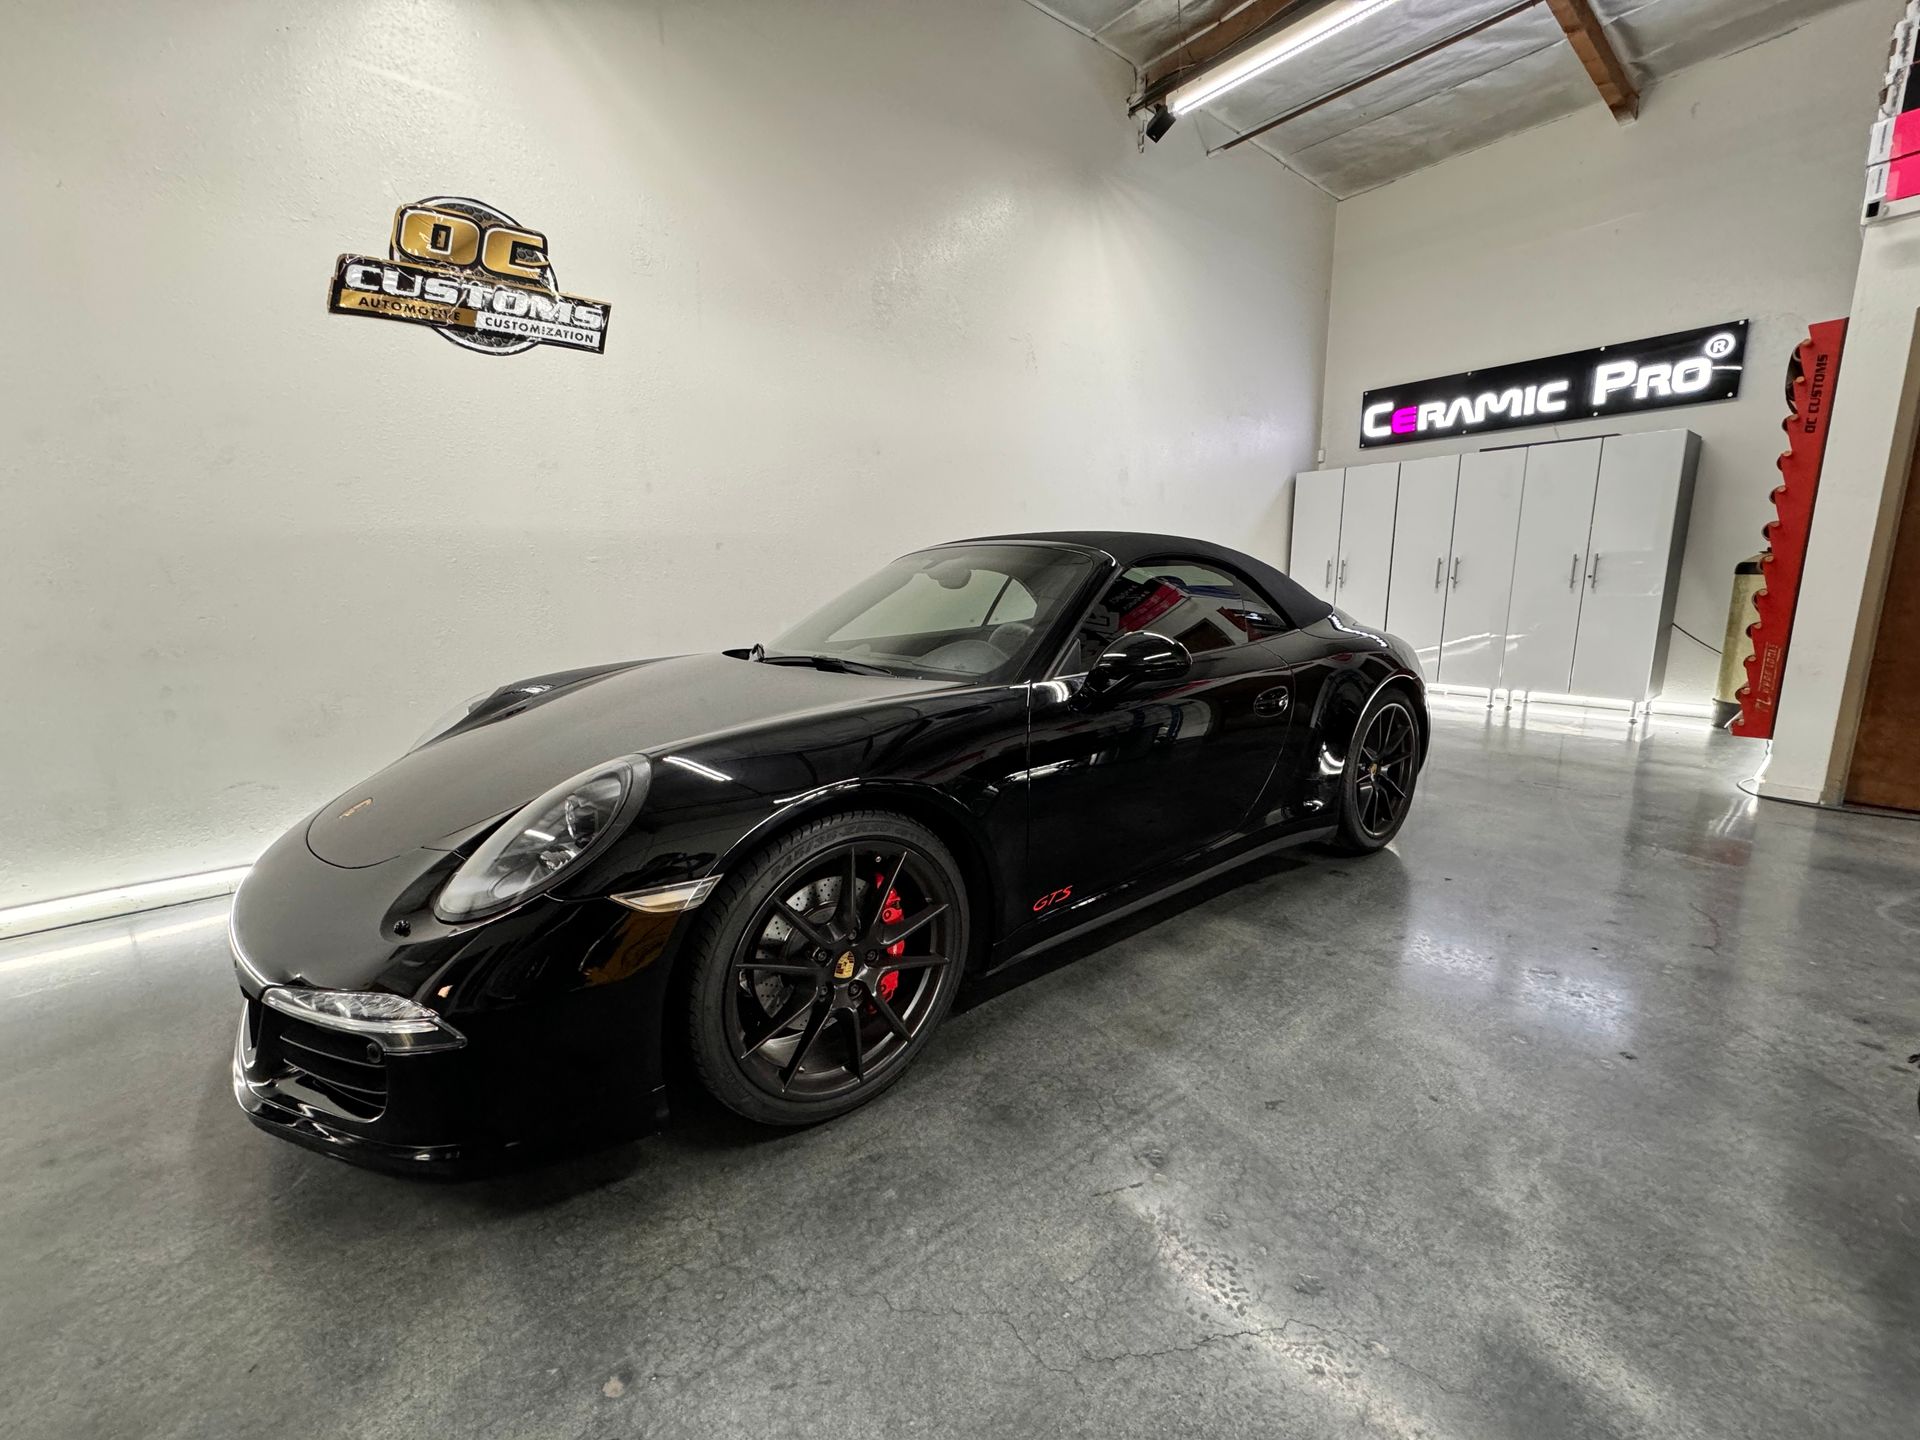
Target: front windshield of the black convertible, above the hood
949,613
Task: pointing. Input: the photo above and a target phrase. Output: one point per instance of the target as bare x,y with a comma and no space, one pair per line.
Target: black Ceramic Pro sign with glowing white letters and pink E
1691,368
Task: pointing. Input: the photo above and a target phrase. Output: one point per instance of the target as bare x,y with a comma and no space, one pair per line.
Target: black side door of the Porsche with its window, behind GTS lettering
1130,784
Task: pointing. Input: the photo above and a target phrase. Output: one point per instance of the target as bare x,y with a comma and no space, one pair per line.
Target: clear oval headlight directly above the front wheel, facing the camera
535,848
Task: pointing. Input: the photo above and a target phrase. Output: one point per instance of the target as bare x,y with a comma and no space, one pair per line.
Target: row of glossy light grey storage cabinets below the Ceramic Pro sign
1547,569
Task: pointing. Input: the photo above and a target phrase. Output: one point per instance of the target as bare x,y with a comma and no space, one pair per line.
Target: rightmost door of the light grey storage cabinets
1633,554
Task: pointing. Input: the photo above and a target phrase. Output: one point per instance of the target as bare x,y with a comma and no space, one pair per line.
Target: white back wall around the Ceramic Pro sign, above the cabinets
1735,195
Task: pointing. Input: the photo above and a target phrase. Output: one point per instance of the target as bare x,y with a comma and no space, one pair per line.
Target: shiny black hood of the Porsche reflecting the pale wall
456,786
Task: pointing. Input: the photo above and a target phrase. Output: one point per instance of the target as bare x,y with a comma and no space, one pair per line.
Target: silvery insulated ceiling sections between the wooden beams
1504,80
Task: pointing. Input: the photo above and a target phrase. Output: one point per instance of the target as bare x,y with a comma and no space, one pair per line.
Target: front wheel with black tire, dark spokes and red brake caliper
804,1007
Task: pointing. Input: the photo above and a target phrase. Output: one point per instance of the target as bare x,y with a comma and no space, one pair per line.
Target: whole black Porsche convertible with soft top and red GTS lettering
784,861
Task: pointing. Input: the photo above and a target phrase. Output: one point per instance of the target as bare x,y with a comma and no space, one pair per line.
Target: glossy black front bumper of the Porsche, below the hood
562,1007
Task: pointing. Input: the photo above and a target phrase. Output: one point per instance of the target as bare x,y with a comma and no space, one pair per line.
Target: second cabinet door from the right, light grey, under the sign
1548,565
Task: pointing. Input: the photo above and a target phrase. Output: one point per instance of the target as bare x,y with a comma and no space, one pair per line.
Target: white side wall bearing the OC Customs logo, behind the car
882,274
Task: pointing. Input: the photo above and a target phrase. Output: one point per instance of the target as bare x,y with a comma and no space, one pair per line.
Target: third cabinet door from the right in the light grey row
1481,573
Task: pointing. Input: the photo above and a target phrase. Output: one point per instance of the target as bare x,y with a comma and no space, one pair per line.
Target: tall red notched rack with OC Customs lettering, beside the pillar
1812,379
